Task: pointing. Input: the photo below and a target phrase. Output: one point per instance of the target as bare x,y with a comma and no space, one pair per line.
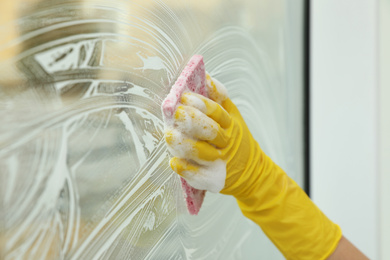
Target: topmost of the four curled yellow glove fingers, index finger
208,107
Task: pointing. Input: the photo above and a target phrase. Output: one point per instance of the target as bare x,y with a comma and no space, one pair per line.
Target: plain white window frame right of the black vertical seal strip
350,125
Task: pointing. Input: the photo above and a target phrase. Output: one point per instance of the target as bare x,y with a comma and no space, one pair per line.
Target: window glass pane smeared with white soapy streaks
84,168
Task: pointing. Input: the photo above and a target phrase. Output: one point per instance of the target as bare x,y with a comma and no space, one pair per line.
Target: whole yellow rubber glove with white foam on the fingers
214,150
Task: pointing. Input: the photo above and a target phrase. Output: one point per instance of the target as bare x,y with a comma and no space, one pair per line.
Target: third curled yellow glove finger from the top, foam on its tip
182,146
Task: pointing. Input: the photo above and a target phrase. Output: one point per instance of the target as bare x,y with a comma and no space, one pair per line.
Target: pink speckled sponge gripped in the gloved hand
192,78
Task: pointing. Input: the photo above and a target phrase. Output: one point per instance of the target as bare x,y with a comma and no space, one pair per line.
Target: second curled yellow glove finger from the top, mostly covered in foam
194,123
